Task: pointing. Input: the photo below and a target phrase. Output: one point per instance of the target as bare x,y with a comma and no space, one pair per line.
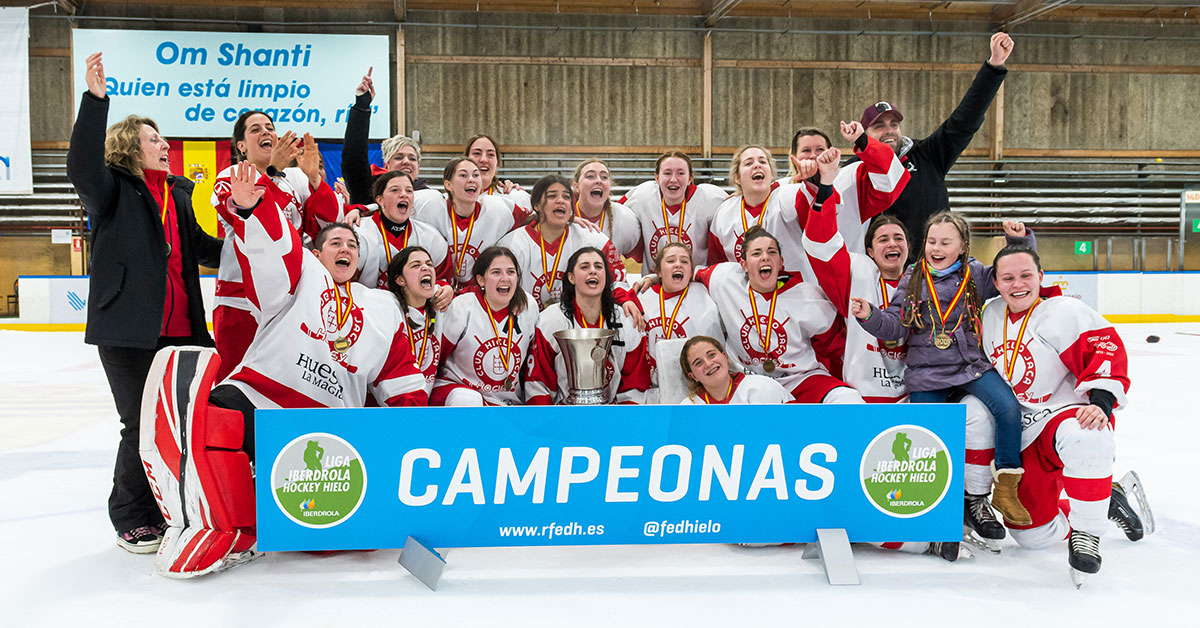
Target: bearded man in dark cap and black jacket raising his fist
928,160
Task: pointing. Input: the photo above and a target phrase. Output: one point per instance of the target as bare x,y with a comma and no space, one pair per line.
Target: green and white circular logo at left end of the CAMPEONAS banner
319,481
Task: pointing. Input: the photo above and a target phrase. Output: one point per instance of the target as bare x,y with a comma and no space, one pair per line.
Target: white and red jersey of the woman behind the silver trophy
626,372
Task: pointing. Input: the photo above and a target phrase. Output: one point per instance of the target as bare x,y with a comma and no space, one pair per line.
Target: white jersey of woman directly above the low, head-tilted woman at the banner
805,326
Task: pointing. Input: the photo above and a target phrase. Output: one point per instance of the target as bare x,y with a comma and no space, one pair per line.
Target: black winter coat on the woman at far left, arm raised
128,286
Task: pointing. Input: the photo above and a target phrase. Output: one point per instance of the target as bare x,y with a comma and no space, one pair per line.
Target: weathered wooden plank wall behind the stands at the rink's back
645,88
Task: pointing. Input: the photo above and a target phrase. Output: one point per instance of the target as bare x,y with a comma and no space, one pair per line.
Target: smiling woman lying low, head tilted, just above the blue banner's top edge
710,382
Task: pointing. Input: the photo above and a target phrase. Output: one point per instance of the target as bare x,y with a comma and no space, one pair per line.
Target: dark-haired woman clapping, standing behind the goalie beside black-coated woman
307,201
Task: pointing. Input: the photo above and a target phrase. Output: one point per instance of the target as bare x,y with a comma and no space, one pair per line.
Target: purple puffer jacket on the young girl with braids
928,367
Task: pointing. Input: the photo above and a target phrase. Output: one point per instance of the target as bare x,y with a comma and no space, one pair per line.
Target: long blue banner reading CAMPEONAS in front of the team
614,475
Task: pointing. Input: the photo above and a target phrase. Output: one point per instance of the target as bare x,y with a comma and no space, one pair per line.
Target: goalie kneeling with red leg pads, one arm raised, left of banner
323,342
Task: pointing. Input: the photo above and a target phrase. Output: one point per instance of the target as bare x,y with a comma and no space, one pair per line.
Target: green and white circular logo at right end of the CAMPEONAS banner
907,471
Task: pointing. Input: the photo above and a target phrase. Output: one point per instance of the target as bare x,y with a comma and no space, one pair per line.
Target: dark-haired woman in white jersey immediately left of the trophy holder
485,337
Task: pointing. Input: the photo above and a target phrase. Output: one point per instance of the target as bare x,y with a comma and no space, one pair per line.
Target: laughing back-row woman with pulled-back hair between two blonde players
673,208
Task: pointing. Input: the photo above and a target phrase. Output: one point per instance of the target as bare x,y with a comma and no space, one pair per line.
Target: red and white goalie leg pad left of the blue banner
193,457
